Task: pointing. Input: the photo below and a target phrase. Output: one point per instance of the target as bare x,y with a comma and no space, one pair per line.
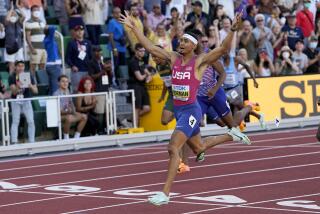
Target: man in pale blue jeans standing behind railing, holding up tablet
17,107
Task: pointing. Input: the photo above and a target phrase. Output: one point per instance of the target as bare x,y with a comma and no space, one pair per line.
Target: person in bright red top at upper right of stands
305,19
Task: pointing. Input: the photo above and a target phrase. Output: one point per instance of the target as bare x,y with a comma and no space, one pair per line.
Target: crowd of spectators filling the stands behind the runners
277,38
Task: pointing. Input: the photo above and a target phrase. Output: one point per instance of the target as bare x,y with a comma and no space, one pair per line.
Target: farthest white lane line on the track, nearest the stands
135,155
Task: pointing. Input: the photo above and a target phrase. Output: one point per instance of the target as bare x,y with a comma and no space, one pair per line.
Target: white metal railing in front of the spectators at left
110,112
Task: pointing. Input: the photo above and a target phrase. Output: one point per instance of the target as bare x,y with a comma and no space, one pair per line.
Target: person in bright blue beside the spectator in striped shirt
53,66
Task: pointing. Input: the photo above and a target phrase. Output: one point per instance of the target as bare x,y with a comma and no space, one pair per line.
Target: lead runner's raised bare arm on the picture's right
215,54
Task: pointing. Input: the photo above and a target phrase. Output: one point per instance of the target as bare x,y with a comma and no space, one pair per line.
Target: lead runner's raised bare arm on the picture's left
146,43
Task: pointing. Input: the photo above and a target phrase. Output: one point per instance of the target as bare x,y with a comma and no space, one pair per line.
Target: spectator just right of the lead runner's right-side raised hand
247,40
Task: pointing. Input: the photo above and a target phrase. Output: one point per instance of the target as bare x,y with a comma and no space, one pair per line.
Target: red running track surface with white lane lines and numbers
278,174
